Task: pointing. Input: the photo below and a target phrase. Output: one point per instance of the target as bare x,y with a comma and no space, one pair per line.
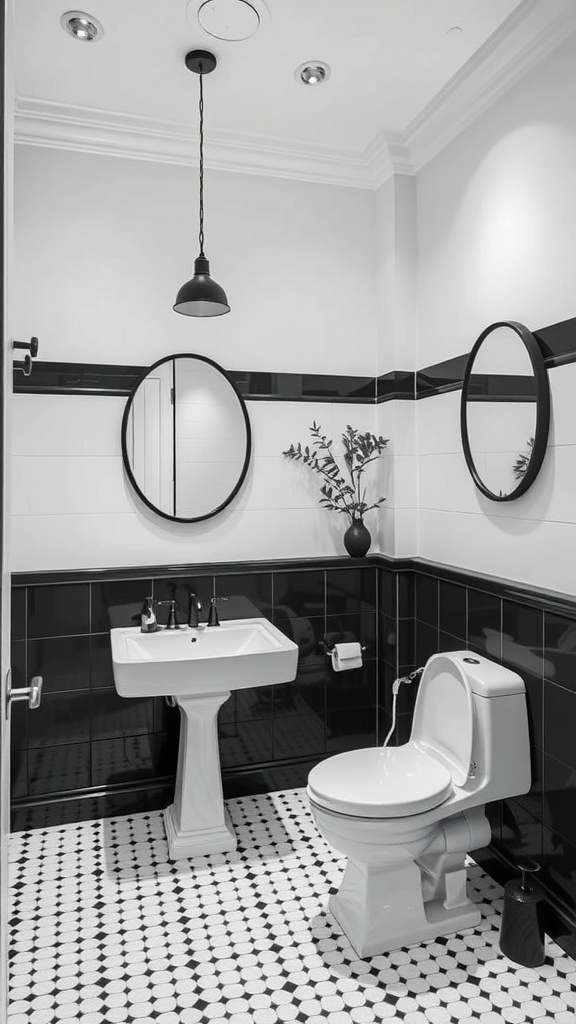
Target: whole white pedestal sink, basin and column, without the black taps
200,668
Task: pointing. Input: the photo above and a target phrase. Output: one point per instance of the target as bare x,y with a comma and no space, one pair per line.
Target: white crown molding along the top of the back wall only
62,126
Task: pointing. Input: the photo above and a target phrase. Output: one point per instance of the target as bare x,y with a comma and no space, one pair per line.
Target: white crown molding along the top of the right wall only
526,38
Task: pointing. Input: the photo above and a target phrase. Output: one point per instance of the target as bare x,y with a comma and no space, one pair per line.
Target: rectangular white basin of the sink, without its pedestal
208,660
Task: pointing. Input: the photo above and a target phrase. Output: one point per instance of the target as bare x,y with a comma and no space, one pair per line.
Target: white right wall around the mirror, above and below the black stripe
497,230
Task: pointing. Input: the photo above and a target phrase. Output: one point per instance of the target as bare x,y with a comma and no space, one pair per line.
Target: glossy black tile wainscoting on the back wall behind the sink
88,753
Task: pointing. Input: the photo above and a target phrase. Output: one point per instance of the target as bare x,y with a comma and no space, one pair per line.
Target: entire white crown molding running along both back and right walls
529,35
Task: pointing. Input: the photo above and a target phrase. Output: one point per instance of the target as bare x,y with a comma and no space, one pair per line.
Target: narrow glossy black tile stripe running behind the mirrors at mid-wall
558,344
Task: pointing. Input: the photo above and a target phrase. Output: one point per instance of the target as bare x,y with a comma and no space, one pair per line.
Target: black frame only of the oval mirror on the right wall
543,411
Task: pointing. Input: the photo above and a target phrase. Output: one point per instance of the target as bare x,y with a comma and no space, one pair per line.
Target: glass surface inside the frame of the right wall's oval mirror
502,411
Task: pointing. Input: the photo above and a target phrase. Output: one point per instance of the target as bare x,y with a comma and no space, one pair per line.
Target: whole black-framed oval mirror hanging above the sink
186,439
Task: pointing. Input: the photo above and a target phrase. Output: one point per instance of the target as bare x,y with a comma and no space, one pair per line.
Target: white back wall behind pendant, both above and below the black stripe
103,245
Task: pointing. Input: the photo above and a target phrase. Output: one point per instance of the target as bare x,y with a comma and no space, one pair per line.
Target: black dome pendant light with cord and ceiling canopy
201,296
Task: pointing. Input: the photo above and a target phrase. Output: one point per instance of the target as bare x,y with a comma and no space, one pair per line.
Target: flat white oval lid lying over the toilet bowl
381,783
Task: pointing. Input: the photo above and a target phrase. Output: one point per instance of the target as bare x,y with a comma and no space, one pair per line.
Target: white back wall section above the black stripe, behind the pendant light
104,244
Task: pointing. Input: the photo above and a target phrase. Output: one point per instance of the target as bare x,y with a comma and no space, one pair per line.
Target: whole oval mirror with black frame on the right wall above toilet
506,411
